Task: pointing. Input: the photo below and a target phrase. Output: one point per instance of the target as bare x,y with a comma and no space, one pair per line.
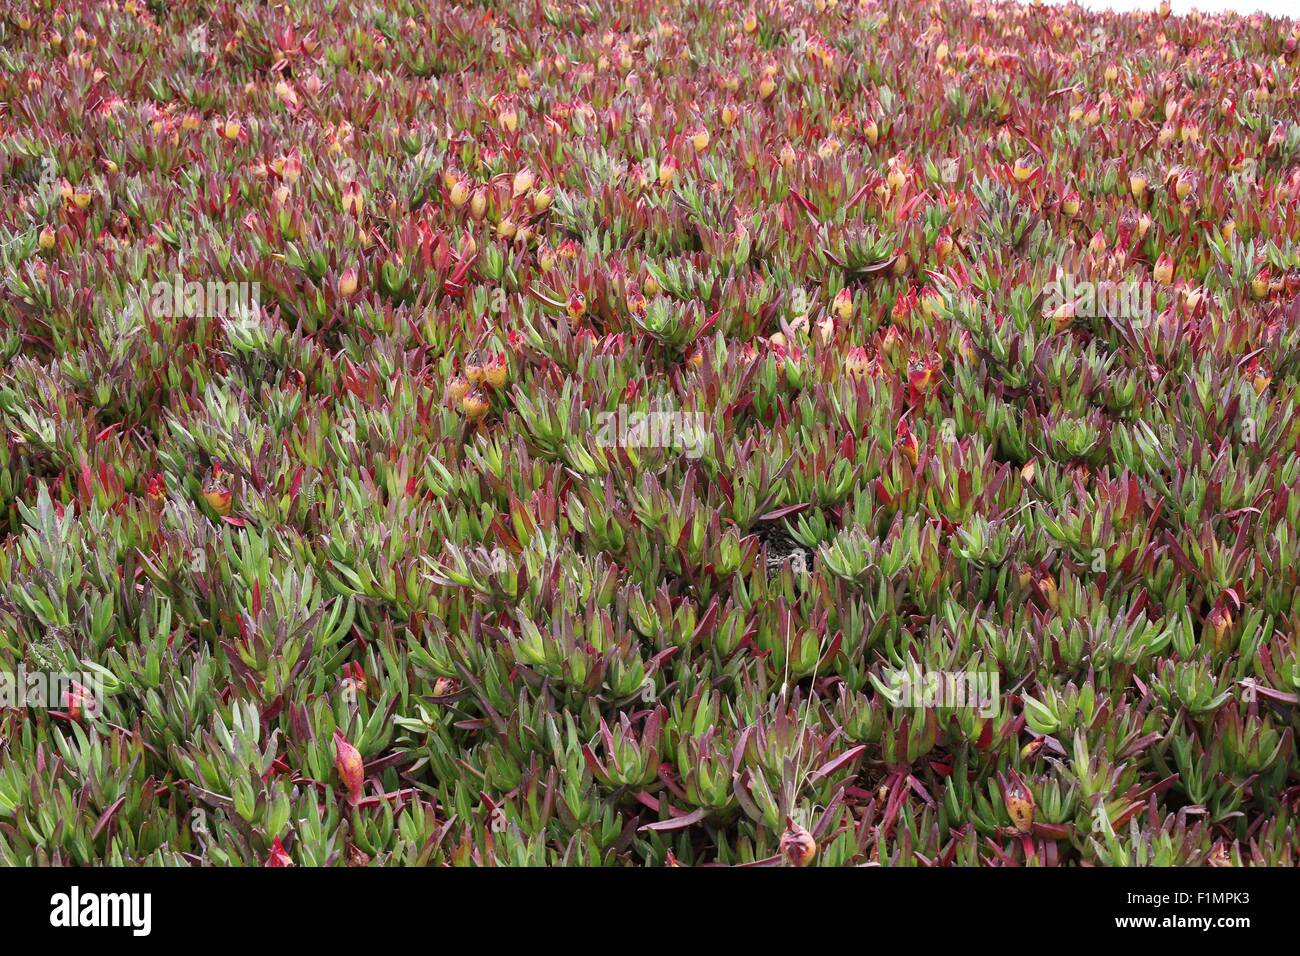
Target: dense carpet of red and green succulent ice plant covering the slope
582,434
